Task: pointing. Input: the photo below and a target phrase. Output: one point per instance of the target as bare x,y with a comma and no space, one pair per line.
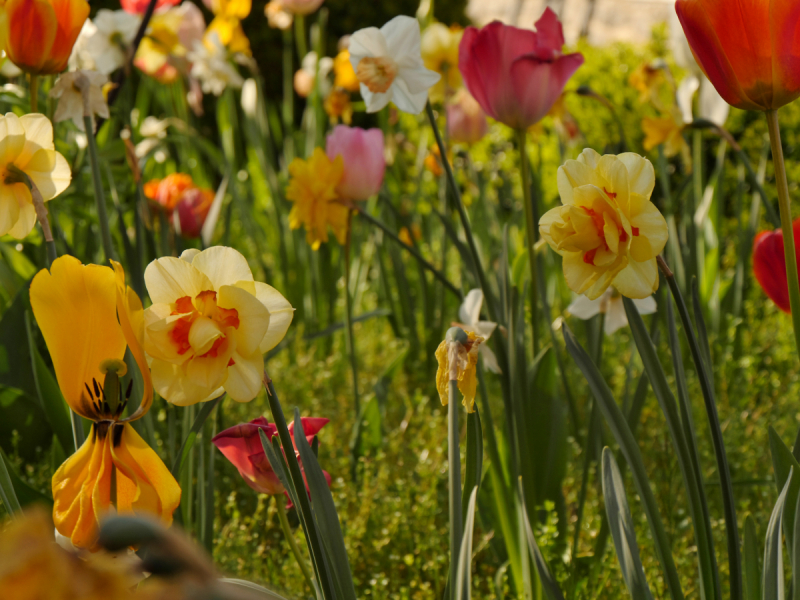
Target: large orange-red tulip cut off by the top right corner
747,48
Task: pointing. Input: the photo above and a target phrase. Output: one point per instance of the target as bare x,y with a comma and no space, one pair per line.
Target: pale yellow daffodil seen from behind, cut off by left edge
27,155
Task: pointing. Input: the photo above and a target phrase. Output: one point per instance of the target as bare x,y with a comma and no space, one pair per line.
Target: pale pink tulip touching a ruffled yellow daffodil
364,164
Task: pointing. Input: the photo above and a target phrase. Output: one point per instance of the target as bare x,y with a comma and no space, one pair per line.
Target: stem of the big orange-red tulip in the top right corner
786,221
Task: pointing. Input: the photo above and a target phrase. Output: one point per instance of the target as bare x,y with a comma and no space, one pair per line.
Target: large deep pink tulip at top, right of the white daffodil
516,75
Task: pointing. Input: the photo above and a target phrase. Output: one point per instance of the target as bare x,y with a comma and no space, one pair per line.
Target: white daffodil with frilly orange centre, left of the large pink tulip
388,63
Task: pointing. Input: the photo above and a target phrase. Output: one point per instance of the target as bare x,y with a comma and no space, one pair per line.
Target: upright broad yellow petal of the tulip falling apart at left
76,309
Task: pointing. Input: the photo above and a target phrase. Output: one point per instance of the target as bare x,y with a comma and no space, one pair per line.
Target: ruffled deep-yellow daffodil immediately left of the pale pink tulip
312,188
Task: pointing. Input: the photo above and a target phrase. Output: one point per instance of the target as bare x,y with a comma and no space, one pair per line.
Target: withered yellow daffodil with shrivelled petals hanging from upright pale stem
459,360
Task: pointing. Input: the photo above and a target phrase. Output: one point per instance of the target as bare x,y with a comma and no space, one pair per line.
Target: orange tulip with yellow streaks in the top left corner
41,33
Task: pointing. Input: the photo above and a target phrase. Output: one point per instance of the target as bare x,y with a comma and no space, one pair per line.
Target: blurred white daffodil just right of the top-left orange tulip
103,44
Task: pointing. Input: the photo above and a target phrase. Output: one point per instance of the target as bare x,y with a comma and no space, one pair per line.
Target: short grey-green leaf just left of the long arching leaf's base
622,531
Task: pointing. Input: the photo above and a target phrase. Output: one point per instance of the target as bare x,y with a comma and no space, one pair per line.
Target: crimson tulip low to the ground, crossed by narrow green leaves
241,444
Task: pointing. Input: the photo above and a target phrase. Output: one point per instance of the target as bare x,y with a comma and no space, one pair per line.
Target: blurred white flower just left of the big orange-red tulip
711,106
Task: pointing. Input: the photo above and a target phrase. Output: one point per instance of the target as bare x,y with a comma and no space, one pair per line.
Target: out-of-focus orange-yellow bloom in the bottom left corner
33,567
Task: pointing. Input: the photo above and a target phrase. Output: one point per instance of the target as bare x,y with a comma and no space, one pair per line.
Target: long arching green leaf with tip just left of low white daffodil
622,433
